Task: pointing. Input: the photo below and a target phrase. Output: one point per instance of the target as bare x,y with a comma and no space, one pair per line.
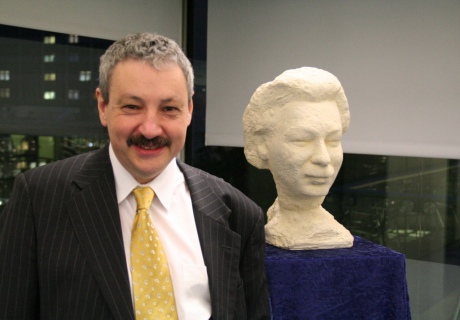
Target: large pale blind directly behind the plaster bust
399,62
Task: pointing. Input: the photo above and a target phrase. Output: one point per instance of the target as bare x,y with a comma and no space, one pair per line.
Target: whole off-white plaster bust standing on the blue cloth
293,126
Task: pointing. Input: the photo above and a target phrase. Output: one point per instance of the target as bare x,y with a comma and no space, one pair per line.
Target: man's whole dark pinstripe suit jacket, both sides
62,253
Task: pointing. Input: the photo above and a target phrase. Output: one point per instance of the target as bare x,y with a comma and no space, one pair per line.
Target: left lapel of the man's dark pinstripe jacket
94,213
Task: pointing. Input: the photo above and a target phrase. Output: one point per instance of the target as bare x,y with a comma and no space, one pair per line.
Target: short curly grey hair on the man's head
150,48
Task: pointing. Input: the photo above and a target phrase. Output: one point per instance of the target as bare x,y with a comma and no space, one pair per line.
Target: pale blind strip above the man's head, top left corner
105,19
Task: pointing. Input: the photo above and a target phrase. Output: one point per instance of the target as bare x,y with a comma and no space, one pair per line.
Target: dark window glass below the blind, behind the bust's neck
408,204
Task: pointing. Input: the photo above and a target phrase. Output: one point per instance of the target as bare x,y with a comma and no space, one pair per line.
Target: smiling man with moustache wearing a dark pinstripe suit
65,235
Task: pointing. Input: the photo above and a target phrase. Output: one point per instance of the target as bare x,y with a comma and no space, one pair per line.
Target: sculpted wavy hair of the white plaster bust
302,84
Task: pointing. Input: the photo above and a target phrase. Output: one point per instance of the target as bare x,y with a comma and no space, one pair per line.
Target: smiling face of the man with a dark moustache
147,116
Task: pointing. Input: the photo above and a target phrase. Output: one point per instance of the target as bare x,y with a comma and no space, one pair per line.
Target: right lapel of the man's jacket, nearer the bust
219,244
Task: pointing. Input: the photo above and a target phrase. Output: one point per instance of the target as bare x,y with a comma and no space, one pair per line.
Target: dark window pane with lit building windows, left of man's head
45,94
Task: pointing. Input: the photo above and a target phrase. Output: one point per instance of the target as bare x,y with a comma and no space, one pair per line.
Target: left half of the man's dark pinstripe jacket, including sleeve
62,252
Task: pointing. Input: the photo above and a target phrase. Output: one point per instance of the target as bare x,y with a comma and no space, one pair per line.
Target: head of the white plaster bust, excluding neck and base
298,117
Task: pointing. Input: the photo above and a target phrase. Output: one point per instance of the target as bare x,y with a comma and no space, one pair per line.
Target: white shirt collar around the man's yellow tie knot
164,185
